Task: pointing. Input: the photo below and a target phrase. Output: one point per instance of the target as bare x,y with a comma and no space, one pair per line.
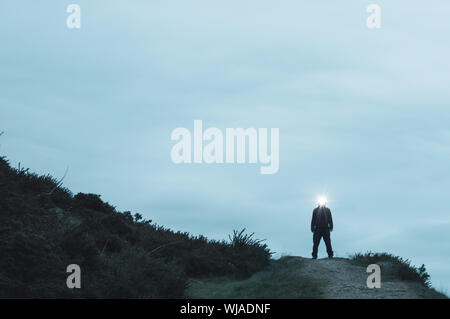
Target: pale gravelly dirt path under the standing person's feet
346,281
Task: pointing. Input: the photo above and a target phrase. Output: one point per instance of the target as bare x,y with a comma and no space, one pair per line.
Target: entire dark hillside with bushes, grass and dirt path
44,228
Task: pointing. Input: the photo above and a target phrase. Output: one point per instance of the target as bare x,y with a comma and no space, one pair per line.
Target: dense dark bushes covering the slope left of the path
44,228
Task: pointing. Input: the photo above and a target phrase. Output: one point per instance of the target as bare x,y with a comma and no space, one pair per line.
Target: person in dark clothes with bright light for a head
321,226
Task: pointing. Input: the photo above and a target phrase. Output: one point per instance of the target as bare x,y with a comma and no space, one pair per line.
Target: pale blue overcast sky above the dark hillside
363,114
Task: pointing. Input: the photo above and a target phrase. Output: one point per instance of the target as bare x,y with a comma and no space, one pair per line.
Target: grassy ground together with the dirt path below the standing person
298,277
